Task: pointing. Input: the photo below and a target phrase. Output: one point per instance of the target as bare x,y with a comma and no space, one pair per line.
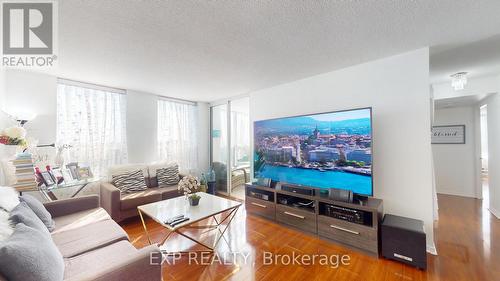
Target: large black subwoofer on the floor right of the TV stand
403,239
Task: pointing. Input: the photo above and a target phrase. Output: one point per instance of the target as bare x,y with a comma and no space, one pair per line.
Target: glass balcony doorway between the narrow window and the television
230,146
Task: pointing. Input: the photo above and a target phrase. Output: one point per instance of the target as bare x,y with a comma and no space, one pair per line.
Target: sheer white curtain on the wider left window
93,122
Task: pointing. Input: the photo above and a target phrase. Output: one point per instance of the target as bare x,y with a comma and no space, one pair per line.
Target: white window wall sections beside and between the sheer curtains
37,93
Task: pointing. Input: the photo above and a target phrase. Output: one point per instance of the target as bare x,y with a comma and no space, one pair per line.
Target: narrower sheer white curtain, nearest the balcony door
177,136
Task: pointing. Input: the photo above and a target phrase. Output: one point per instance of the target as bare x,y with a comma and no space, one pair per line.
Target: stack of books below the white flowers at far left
25,173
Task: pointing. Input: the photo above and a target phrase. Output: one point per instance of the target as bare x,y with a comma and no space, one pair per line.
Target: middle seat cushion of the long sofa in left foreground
90,237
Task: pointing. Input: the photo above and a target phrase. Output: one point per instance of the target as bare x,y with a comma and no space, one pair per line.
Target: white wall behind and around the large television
397,88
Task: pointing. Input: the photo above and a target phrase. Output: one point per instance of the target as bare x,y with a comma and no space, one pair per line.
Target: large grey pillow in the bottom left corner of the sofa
29,255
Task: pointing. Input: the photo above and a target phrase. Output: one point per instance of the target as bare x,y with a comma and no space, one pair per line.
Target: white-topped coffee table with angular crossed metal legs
209,207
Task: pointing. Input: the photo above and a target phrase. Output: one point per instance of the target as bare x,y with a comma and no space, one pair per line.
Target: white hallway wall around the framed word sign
455,164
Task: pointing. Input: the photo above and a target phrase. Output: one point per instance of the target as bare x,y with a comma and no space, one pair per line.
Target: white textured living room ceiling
208,50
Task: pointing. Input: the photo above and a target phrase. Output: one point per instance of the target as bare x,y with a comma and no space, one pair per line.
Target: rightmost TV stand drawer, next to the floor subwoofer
352,234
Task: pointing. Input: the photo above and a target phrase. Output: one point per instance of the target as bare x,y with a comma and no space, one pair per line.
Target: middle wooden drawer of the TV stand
300,219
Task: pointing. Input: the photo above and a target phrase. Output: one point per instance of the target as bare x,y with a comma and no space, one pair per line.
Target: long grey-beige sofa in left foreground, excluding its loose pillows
94,247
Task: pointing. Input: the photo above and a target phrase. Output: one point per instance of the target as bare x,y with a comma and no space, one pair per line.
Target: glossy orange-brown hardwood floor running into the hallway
467,238
